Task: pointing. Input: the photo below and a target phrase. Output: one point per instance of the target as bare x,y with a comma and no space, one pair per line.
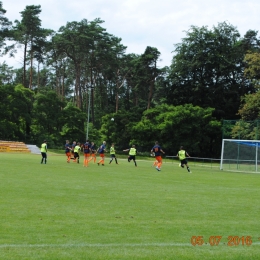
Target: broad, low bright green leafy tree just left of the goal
187,125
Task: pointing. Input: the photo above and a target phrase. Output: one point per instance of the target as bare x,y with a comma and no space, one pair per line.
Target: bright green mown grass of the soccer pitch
66,211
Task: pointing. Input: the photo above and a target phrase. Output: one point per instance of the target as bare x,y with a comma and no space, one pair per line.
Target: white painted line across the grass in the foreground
114,245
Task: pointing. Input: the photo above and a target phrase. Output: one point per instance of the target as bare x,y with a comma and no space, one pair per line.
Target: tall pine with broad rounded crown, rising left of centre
92,52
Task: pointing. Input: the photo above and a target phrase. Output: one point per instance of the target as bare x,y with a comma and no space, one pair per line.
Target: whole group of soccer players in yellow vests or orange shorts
72,152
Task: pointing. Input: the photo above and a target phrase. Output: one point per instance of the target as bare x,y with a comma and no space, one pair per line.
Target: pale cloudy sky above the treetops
142,23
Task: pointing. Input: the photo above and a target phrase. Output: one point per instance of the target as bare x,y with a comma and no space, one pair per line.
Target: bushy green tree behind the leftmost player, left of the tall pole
56,121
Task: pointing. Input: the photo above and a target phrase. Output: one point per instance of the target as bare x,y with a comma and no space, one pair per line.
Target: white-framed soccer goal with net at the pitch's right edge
240,155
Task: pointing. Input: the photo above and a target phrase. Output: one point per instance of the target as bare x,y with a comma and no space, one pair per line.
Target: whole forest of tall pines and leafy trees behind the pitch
78,82
